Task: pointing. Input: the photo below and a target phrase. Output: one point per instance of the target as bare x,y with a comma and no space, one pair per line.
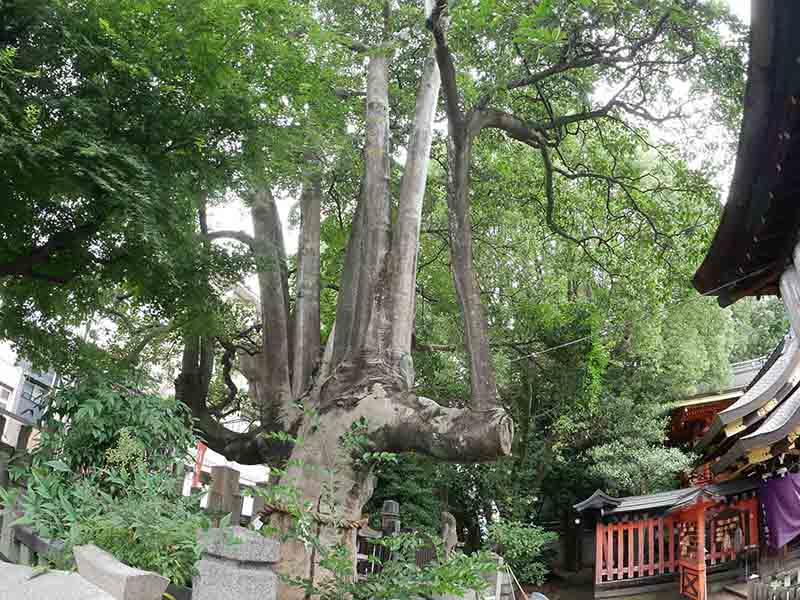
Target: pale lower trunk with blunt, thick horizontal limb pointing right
398,421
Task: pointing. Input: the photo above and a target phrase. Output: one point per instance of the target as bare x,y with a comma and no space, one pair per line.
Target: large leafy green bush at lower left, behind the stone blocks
102,474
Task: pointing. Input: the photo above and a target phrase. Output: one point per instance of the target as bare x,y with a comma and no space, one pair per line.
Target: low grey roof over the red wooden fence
663,502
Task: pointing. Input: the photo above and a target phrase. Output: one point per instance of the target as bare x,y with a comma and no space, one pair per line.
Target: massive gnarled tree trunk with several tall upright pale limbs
366,374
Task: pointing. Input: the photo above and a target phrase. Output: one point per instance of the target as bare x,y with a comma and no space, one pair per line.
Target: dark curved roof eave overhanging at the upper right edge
759,223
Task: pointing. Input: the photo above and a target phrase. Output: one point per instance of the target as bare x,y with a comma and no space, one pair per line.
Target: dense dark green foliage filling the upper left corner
116,119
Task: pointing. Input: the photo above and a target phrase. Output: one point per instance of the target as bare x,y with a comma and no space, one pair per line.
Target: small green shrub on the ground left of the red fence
524,548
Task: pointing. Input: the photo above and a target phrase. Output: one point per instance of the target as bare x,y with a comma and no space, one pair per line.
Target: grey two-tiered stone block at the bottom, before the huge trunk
236,563
